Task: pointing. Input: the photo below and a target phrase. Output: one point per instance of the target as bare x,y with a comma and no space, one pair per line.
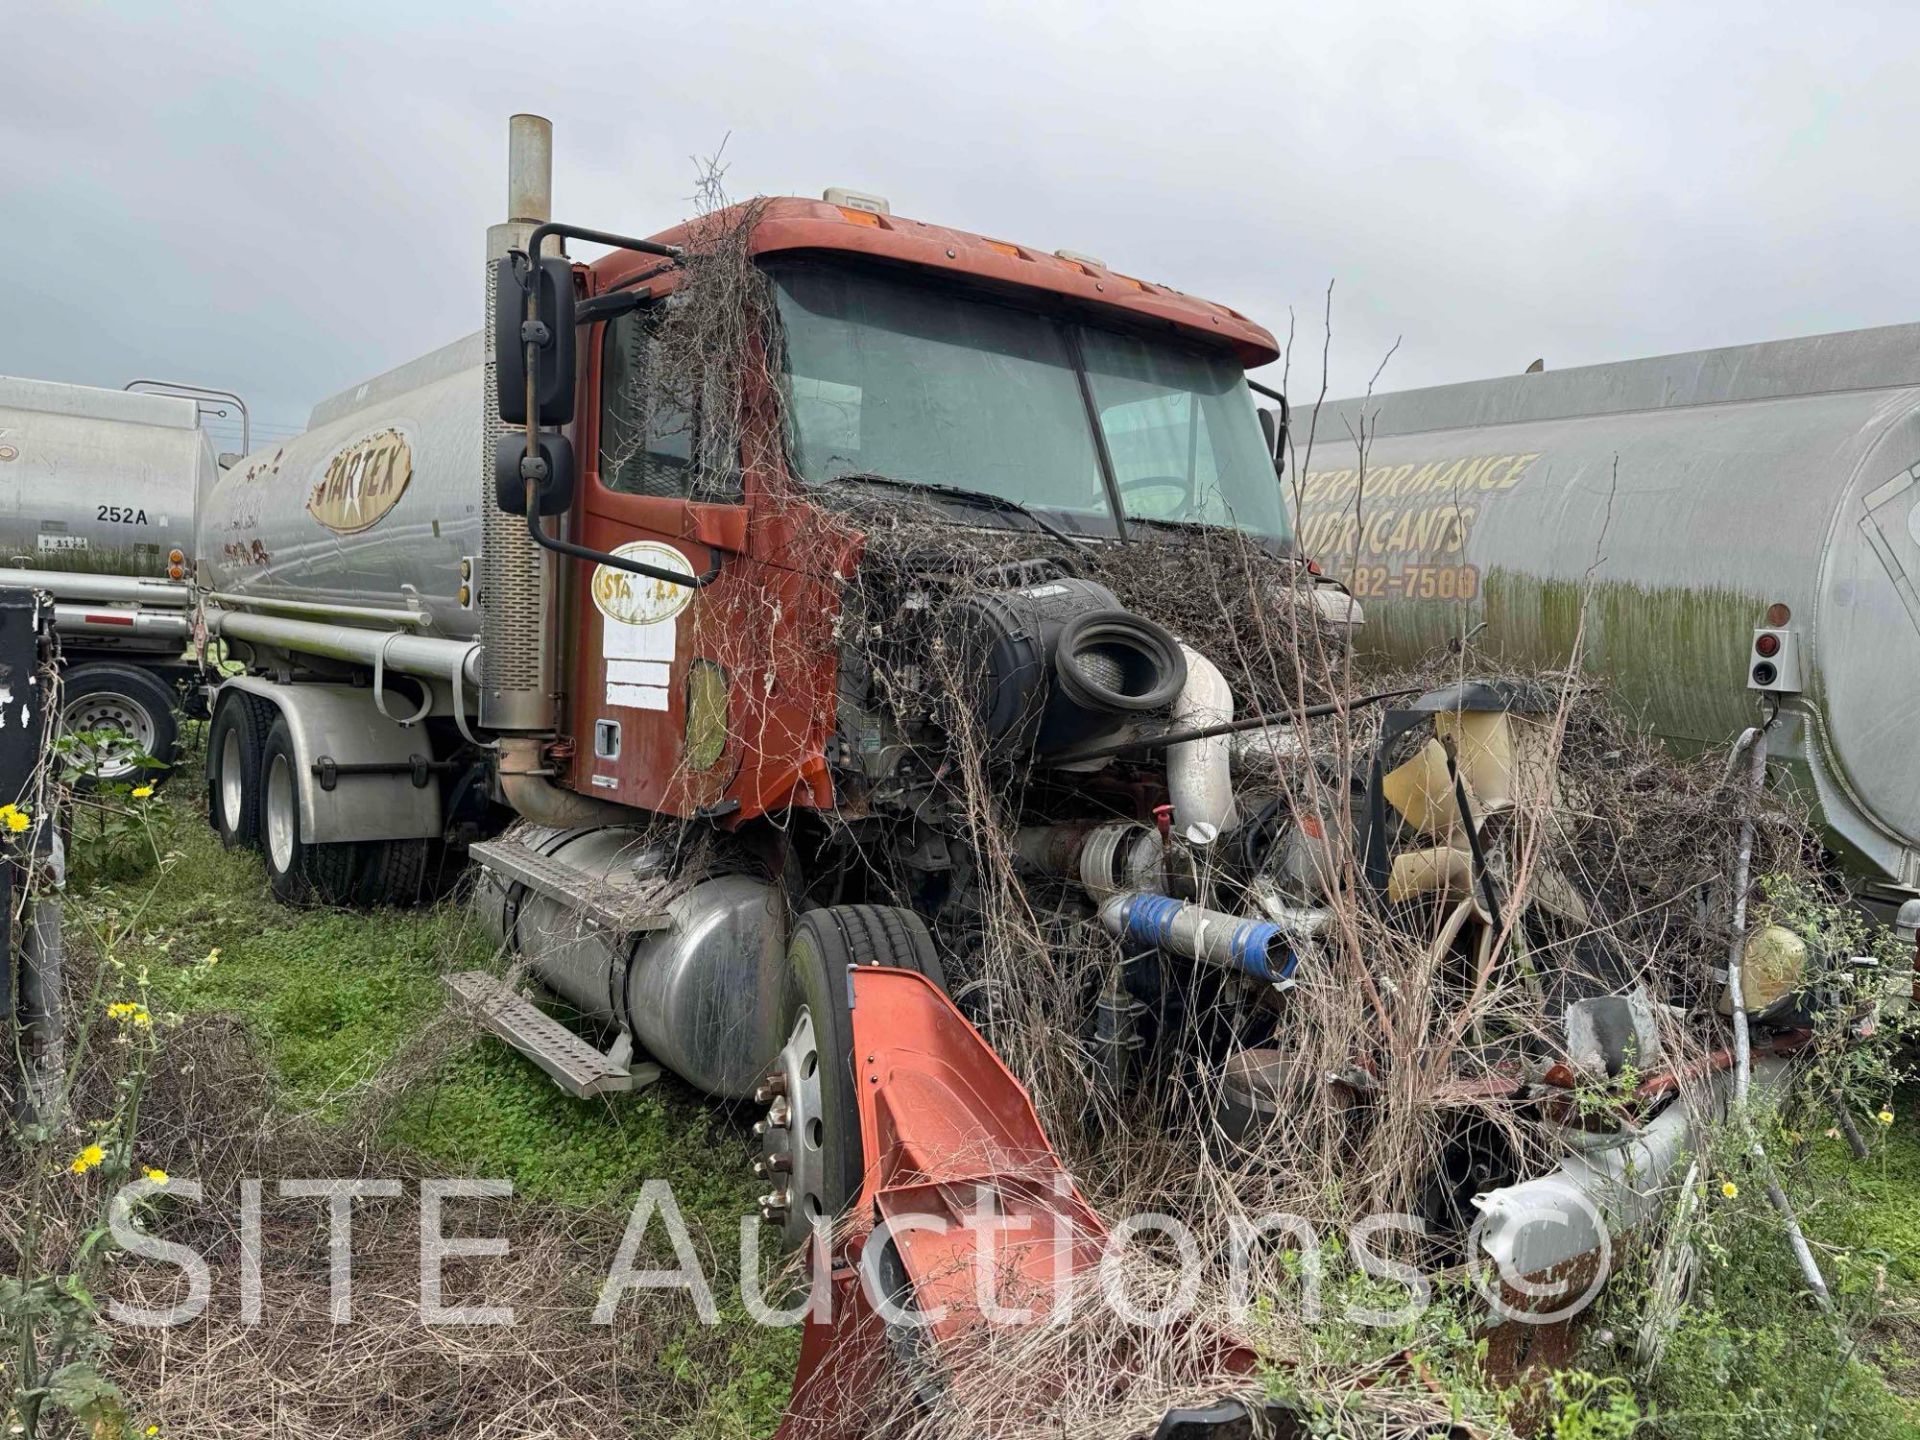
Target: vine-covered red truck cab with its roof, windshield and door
1009,387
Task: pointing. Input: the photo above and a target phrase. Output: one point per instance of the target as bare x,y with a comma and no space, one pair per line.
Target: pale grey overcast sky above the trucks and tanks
289,199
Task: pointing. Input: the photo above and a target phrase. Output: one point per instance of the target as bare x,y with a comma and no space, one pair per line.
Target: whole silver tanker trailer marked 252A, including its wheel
99,496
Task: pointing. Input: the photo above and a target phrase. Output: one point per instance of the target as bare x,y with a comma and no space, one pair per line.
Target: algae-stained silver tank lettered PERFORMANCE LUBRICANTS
1691,492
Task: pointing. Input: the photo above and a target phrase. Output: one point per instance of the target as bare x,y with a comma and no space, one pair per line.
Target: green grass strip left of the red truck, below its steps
335,997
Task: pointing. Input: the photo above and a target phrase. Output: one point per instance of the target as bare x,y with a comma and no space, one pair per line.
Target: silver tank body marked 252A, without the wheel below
99,481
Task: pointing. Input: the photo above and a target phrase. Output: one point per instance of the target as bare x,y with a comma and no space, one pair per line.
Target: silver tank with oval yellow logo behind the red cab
373,510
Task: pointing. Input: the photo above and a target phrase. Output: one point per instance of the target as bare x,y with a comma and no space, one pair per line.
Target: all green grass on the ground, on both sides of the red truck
335,997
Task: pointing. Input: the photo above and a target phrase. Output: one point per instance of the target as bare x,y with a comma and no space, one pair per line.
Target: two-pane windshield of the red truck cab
923,385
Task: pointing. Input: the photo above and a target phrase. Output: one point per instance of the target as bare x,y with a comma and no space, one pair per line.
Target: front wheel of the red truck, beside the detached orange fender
813,1126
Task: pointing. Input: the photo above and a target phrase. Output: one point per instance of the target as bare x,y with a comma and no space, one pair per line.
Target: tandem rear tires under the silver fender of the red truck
254,804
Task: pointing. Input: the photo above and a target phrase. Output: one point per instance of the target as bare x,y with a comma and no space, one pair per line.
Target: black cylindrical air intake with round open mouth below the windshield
1059,665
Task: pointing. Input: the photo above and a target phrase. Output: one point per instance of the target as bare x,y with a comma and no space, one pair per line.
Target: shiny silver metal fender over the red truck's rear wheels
335,731
